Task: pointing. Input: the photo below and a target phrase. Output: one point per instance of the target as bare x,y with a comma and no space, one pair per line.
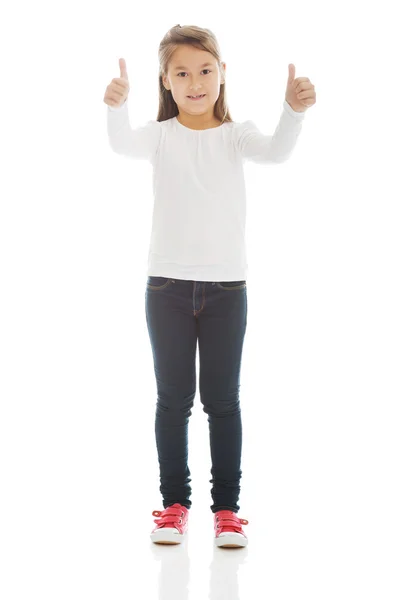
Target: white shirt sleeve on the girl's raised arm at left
139,143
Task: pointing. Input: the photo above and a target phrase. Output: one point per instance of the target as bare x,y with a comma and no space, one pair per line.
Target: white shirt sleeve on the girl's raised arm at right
259,148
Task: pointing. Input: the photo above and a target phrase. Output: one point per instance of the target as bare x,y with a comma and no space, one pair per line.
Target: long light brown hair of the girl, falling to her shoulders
200,38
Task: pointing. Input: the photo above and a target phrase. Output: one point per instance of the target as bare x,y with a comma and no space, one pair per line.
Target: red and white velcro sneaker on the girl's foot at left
172,525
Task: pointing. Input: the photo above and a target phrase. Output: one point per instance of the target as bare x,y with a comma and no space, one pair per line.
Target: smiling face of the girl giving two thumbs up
188,75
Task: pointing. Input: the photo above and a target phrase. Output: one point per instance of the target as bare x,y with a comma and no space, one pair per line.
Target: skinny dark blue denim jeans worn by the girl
179,312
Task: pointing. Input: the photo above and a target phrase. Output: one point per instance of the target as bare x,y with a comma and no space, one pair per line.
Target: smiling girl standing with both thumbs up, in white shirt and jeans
197,265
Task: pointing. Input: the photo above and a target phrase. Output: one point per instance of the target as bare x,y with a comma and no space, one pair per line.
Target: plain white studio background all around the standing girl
320,383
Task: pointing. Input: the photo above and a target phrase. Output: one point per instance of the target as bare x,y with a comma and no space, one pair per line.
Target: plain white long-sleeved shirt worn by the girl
199,212
